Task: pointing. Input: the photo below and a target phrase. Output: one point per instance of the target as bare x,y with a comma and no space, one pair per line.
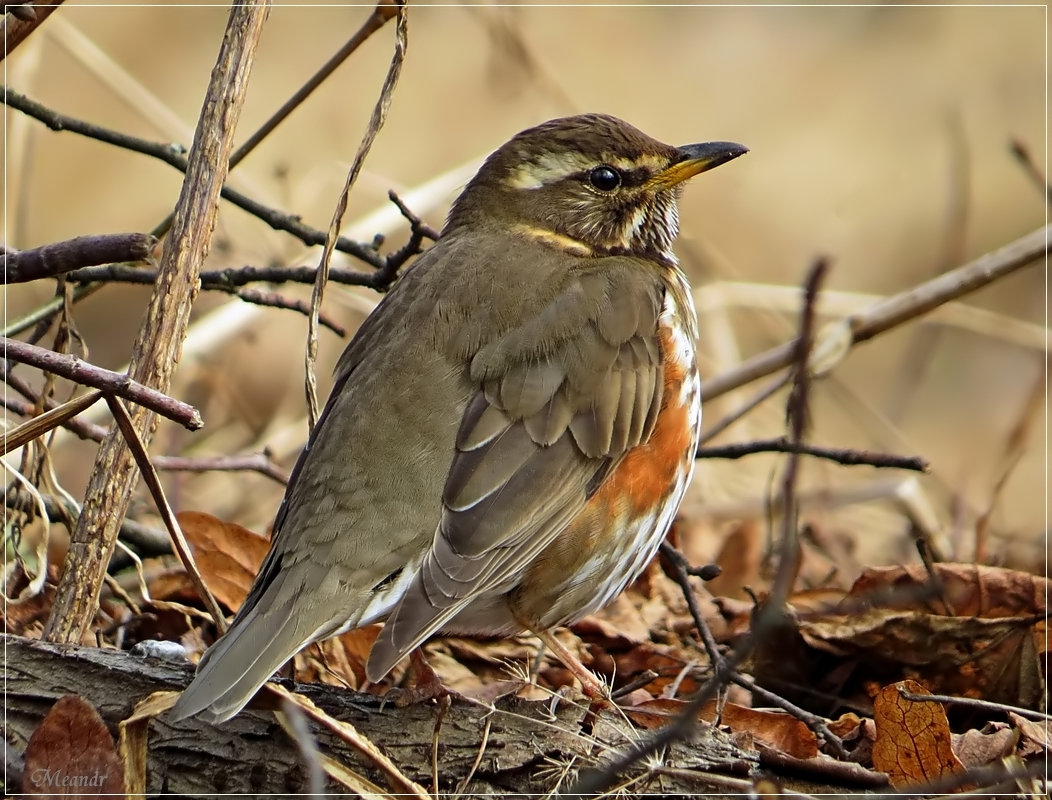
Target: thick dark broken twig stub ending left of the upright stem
57,258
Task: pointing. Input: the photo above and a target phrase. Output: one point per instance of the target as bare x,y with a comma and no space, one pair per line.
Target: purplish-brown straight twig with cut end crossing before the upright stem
73,369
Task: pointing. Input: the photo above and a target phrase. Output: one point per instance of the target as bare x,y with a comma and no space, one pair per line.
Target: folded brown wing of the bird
558,402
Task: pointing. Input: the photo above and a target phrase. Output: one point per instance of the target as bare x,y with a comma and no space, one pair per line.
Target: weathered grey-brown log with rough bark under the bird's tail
527,748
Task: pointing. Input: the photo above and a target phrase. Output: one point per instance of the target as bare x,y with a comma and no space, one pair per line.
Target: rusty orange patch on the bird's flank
648,473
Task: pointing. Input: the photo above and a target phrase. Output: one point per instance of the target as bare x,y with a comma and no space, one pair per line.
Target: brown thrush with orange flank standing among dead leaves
510,433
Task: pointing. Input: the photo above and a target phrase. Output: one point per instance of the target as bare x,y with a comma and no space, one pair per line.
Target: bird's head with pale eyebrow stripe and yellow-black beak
592,185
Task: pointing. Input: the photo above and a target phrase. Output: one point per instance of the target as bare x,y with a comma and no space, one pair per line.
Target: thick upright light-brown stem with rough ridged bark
160,338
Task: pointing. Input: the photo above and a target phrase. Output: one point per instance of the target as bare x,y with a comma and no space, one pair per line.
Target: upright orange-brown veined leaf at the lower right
914,743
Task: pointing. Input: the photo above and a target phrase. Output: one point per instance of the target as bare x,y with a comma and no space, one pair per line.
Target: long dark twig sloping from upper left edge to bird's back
172,155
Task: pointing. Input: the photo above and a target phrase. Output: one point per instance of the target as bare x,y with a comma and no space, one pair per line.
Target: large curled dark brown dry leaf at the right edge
979,633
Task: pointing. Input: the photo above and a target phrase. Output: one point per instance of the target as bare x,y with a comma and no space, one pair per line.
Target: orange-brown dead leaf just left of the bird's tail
228,555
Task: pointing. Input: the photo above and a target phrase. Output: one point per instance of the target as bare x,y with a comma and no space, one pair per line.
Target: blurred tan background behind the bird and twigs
880,138
